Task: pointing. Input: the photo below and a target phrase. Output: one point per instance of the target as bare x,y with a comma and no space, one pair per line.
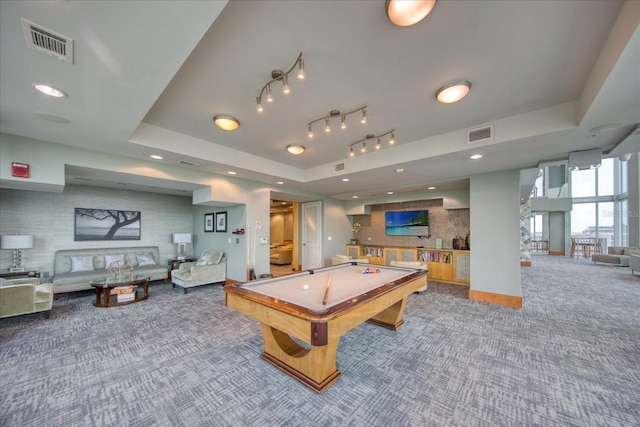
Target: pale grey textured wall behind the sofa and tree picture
49,217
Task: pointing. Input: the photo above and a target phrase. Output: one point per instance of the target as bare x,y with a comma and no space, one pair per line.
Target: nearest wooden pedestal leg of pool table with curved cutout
315,367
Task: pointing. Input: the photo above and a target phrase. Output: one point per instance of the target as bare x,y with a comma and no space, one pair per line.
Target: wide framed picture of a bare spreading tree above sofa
106,224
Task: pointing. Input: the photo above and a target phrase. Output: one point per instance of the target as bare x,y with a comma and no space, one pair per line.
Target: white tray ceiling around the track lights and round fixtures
149,76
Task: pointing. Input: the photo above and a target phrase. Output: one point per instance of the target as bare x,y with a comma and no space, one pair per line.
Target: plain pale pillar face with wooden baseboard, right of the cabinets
495,233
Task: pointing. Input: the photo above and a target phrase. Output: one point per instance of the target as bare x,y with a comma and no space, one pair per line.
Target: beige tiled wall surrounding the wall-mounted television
443,224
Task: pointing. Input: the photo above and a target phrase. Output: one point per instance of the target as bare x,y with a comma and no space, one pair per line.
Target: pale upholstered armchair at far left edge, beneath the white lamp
24,296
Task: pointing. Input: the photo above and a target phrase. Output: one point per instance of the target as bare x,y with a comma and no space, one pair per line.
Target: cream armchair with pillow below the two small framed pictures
210,268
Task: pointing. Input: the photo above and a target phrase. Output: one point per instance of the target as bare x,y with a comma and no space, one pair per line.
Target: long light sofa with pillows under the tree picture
74,268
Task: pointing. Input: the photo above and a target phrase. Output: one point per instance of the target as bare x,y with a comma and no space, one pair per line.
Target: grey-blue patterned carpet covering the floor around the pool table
570,357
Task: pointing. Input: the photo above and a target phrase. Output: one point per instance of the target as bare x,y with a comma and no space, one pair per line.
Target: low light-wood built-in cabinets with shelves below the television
444,265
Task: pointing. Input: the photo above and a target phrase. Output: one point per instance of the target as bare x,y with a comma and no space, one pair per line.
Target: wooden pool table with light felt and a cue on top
304,315
